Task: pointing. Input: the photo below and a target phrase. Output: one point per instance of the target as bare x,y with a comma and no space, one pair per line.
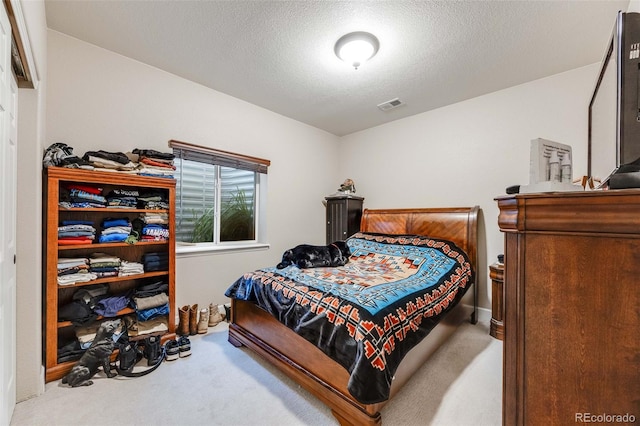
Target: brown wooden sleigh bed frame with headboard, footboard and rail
323,377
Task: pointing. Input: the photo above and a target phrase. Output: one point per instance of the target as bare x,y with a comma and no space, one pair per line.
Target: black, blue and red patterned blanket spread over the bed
367,314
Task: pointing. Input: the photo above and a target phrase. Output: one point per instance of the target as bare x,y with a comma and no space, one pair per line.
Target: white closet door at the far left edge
8,161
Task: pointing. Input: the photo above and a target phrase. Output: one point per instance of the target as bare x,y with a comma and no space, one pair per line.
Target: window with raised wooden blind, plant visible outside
220,196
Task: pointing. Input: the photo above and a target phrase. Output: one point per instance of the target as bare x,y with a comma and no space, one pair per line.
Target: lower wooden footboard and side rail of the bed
326,379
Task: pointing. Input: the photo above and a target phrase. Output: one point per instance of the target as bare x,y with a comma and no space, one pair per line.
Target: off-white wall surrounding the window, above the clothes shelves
100,100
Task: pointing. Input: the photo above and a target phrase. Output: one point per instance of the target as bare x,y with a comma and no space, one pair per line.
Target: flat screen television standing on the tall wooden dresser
614,110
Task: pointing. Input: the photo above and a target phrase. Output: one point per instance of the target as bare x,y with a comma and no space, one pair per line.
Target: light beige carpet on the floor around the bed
222,385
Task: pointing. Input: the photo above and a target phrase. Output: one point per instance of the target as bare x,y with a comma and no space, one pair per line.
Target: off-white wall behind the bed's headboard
468,153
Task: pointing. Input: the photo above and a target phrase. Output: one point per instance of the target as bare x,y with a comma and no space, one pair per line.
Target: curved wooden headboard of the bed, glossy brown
456,224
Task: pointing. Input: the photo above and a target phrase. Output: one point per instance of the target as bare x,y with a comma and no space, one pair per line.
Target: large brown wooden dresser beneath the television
572,307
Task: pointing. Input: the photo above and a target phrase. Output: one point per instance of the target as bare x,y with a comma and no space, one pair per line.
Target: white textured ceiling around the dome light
279,54
